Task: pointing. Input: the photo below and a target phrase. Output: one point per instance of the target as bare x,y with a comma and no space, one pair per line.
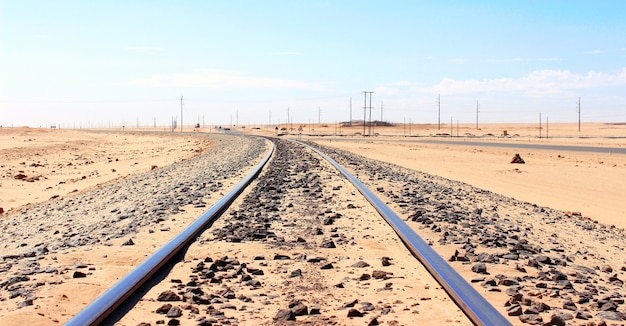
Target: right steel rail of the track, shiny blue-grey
474,305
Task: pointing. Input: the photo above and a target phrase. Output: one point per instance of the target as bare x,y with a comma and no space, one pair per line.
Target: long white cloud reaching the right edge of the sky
540,82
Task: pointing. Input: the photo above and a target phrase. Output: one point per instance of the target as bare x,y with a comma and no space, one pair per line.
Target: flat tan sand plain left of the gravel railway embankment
39,164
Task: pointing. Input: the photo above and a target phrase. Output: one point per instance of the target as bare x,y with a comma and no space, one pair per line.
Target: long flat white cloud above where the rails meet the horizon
215,78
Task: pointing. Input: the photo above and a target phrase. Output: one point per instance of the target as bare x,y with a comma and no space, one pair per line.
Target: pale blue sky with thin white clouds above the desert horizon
101,63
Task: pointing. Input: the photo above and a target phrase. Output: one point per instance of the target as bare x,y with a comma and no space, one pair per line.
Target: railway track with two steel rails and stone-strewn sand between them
306,214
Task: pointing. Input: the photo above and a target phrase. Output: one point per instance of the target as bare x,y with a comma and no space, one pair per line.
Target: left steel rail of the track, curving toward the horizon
110,300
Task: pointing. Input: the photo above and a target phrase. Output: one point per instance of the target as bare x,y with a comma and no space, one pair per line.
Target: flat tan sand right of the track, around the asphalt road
593,184
